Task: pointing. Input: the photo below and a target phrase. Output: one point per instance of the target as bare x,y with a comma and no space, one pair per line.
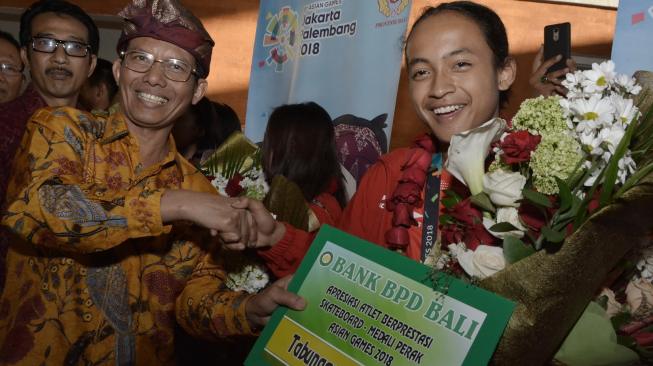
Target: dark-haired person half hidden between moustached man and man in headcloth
100,88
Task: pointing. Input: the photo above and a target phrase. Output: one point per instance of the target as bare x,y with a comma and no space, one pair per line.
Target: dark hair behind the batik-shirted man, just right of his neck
217,120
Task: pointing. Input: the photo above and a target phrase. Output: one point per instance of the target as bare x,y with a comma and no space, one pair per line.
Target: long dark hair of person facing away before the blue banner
300,144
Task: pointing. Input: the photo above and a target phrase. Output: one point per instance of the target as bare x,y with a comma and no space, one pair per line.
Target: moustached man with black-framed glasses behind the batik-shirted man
59,46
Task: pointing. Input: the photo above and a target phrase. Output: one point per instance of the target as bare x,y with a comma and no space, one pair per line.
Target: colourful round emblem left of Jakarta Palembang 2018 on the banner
281,35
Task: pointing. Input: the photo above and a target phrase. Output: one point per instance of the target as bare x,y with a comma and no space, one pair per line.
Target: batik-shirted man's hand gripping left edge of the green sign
260,307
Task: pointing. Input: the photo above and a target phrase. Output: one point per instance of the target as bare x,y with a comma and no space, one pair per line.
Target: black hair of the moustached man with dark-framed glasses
59,7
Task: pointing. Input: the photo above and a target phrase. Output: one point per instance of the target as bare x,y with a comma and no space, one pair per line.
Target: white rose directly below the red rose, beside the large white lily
504,188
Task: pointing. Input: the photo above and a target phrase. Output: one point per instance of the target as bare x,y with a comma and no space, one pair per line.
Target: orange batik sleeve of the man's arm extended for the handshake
54,200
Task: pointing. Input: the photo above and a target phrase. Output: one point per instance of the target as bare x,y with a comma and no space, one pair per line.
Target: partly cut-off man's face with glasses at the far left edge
11,68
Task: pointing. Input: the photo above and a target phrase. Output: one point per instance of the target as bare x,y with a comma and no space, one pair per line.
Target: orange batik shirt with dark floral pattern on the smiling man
93,276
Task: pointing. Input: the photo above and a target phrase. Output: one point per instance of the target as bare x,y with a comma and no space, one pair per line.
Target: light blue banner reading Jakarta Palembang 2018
342,54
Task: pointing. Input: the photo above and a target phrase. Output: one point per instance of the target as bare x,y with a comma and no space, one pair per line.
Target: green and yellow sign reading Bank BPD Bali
367,305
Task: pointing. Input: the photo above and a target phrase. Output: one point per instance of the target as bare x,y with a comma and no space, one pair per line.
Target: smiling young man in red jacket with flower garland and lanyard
459,74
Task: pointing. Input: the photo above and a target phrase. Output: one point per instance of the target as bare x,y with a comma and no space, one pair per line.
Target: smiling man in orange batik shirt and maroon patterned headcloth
108,254
